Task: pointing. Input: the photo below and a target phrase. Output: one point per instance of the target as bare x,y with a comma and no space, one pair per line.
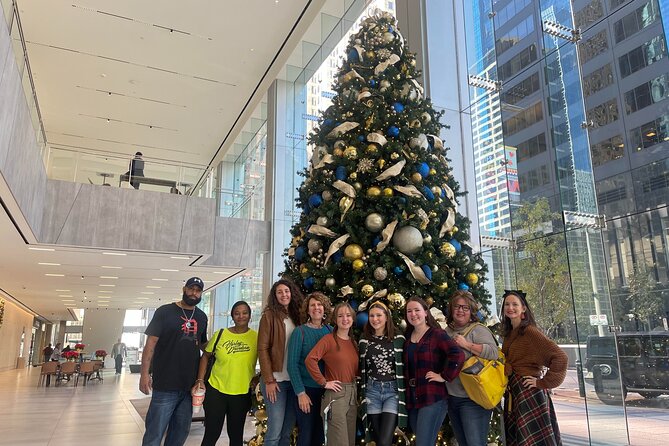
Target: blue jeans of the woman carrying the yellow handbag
470,421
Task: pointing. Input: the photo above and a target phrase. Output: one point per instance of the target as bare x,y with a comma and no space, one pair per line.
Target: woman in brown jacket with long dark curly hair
277,322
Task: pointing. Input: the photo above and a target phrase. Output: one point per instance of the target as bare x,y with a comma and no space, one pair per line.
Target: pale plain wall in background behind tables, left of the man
102,327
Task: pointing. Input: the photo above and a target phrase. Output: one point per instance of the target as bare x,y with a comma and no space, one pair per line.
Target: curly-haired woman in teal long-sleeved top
315,310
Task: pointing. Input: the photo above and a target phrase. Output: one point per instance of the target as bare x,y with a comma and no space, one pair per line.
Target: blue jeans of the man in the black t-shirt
170,410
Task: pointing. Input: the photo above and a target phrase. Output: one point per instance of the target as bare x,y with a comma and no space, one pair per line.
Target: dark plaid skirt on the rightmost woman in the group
529,417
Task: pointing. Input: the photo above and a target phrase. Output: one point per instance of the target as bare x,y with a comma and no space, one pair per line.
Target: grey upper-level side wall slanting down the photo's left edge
21,167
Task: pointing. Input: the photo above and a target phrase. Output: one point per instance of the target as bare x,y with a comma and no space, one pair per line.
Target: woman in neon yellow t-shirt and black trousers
227,391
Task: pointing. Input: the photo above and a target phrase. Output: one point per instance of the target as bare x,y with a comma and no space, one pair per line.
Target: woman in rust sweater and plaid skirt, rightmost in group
529,417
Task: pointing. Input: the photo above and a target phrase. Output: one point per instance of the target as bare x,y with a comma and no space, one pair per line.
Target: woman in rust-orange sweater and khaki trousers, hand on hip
339,352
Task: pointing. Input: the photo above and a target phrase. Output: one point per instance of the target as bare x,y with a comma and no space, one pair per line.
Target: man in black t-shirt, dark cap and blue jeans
176,334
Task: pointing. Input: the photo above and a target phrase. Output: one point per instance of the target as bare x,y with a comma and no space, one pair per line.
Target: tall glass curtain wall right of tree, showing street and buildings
568,118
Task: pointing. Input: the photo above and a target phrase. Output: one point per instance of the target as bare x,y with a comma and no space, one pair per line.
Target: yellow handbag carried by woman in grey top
484,379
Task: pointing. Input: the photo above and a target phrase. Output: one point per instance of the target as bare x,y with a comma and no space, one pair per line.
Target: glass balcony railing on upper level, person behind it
108,169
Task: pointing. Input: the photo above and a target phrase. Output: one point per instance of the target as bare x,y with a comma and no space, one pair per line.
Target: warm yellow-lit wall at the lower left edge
16,322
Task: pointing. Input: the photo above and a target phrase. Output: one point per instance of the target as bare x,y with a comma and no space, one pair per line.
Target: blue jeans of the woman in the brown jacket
280,414
